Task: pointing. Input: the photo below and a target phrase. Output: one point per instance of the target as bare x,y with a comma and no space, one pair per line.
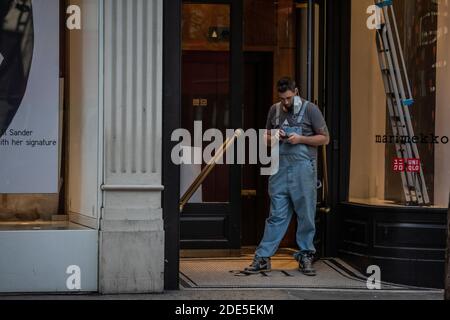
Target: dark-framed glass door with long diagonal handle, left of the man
210,100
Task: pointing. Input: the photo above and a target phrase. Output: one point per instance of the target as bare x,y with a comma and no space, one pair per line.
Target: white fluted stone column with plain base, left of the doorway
131,225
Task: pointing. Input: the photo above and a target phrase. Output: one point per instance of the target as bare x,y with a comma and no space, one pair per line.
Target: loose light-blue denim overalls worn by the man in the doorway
292,188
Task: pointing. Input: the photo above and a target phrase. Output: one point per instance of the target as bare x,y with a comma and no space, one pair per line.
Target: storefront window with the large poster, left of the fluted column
34,70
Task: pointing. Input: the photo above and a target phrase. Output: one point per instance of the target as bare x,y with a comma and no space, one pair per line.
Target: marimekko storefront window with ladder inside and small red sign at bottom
400,140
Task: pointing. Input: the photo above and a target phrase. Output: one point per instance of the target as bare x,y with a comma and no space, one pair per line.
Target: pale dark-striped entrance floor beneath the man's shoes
225,273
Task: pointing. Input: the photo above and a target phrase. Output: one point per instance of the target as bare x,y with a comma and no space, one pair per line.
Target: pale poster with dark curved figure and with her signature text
29,96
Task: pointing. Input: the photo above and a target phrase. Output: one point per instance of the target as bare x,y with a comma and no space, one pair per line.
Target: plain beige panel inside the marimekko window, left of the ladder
368,110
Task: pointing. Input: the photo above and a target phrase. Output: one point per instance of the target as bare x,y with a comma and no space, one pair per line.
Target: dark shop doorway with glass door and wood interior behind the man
224,207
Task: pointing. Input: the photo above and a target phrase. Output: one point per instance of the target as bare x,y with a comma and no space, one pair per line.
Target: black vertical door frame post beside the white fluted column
171,121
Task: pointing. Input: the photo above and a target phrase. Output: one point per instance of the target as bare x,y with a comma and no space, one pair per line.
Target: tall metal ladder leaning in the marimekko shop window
399,100
